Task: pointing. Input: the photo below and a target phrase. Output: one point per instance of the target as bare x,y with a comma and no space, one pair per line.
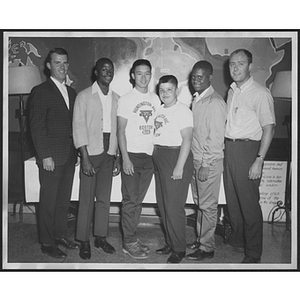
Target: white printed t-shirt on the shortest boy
169,122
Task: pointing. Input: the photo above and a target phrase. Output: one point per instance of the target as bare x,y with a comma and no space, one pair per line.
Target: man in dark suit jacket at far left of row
51,109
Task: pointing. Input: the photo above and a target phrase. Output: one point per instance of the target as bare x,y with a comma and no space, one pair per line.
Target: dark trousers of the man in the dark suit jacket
55,194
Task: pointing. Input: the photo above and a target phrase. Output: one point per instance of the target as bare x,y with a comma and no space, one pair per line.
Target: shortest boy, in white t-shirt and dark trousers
173,165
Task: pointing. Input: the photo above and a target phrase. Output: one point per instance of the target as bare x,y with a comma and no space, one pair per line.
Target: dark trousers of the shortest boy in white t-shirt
171,195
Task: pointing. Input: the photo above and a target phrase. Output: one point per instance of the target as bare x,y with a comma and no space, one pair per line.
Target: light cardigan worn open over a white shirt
88,122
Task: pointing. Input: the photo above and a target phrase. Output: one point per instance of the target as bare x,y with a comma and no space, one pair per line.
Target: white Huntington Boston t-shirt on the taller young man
140,110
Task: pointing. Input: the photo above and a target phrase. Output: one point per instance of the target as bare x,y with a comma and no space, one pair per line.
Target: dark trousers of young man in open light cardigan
97,187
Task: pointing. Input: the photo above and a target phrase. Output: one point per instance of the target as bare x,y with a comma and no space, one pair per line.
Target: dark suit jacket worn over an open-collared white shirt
51,122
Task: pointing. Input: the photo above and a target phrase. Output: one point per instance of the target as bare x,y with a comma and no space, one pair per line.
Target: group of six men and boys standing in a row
141,134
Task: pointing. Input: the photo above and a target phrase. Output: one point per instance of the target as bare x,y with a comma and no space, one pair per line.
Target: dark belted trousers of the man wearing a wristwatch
242,197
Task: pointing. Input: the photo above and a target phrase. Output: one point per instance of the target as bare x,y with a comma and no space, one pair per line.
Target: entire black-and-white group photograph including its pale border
150,150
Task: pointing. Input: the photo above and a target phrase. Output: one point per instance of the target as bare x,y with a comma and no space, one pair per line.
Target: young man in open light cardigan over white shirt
95,135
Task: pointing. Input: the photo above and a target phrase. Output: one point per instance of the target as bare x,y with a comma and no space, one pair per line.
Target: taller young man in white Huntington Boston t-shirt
136,113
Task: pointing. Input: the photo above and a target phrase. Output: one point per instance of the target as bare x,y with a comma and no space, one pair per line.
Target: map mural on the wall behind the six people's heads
168,55
